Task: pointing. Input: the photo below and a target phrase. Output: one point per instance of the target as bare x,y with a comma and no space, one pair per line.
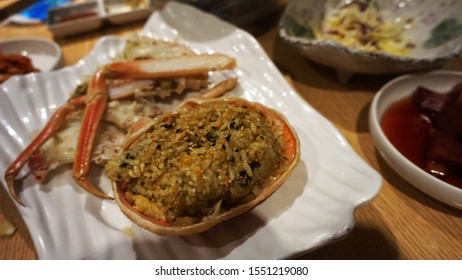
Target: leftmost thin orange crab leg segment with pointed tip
57,120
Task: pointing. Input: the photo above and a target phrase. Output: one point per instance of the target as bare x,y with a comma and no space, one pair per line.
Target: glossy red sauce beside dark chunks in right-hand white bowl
409,130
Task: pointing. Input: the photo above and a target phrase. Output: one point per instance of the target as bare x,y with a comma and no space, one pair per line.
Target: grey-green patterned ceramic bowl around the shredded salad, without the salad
433,28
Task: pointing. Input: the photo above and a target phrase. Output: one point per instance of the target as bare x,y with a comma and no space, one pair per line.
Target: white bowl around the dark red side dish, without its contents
397,89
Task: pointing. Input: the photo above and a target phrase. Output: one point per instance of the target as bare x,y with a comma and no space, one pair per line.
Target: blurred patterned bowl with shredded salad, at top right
374,37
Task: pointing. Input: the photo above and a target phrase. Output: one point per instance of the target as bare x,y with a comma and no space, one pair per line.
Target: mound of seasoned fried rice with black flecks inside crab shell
196,162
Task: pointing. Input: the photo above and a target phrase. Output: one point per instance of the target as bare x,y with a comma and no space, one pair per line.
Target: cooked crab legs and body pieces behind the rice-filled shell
103,109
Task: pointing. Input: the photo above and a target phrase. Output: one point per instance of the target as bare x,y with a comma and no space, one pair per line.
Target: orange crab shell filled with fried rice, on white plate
205,162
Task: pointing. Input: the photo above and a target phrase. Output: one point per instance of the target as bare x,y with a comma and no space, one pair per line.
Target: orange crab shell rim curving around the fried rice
271,184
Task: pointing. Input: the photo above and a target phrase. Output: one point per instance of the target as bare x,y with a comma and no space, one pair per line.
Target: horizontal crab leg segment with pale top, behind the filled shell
169,67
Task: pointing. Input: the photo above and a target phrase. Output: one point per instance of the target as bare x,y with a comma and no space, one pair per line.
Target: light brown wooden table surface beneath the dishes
401,223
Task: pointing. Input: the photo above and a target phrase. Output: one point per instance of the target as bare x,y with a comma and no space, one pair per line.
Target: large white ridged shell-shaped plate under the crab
314,207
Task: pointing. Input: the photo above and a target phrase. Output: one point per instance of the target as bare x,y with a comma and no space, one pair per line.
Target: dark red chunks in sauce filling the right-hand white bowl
427,129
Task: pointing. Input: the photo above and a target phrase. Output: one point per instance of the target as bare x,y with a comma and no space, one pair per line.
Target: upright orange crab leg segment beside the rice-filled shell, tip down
96,102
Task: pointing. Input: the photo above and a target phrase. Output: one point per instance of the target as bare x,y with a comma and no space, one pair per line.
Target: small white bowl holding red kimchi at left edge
45,54
